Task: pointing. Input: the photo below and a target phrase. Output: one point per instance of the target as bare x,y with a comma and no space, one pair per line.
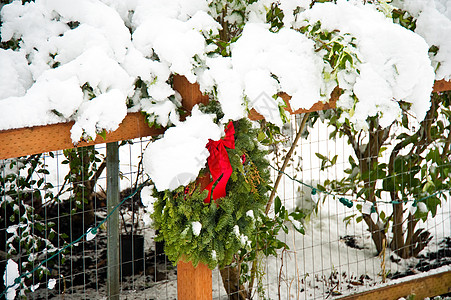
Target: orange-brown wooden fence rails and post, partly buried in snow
193,283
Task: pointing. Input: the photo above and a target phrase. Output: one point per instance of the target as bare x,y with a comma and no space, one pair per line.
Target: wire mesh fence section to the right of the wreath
339,253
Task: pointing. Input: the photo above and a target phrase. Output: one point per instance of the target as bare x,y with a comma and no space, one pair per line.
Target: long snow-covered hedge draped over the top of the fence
91,61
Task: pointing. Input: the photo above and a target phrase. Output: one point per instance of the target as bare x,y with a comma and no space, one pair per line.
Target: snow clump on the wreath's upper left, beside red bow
176,159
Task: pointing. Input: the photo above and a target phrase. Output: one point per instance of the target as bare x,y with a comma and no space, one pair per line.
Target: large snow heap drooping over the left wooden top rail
58,90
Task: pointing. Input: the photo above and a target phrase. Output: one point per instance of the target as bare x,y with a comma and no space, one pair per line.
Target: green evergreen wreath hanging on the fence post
212,233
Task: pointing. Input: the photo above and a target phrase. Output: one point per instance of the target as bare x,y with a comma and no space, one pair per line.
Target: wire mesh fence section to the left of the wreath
51,201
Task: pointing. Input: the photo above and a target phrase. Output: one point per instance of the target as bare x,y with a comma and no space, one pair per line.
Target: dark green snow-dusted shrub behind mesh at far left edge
23,189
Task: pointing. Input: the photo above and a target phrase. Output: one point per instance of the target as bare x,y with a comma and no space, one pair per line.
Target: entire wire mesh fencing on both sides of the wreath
52,201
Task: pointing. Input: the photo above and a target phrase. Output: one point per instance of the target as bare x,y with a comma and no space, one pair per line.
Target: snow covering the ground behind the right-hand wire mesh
319,255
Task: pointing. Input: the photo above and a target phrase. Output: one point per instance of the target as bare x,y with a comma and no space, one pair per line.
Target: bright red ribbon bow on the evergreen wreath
219,163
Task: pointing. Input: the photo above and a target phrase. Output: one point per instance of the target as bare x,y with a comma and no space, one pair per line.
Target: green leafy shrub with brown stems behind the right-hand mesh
418,171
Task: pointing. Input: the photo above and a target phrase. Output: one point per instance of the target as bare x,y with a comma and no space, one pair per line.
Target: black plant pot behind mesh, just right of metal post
132,254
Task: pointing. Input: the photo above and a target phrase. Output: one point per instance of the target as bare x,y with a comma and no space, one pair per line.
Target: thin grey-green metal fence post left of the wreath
113,264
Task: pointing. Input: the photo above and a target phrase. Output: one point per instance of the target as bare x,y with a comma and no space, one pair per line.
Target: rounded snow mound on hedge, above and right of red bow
257,58
